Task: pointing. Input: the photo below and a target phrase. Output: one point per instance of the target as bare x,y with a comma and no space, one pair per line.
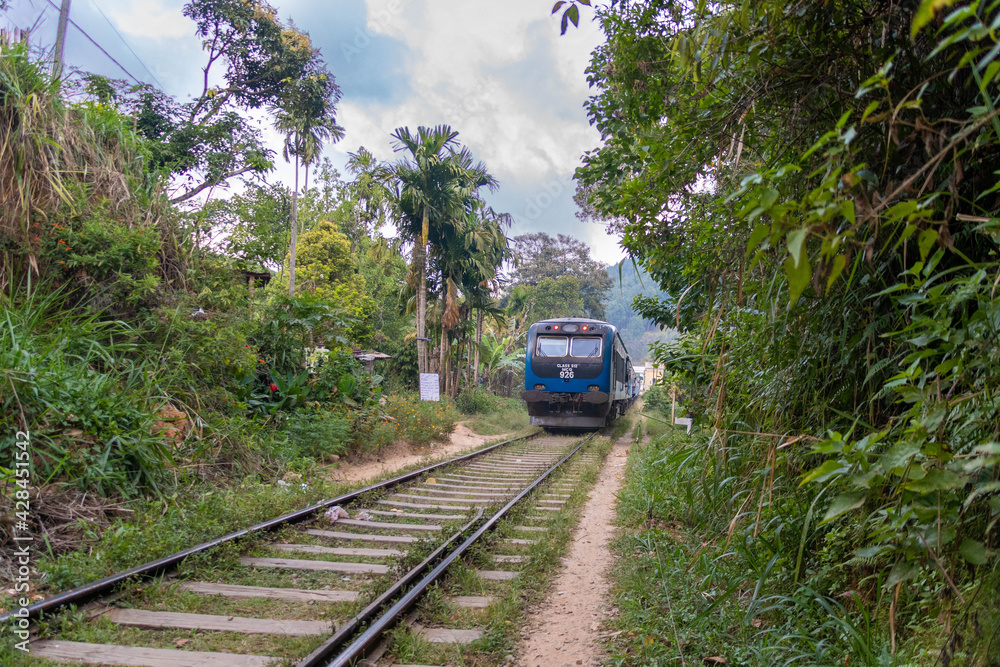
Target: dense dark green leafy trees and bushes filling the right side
830,241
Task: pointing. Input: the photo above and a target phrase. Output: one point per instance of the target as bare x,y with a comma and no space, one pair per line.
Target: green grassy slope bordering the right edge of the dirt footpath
689,593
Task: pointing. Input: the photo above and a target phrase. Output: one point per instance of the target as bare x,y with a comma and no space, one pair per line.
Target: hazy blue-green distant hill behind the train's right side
636,333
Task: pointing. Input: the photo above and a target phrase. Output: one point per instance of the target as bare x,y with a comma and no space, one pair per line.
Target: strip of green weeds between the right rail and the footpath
503,619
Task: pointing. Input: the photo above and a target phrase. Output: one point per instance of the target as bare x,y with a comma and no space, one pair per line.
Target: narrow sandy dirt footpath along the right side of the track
563,630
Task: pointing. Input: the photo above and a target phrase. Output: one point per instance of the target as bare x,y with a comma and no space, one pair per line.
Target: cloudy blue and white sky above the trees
498,72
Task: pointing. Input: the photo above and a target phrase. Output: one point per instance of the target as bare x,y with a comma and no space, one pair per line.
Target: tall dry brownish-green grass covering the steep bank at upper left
59,159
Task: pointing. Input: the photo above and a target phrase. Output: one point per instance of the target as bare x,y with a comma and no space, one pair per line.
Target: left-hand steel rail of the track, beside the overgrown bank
104,586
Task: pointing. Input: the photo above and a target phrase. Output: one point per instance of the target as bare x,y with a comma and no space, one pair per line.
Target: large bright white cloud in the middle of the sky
460,50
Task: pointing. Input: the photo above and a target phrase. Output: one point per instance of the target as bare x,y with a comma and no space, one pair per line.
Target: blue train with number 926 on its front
577,374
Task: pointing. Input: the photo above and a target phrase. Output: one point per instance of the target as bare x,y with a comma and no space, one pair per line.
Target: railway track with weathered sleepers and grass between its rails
322,591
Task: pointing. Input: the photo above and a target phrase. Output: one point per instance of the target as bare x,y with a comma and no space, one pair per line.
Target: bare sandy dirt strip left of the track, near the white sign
402,454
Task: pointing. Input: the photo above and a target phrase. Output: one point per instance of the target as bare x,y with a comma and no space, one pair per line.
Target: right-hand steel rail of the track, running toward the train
357,648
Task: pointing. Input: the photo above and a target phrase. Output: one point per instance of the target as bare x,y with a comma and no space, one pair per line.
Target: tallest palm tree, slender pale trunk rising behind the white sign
435,189
